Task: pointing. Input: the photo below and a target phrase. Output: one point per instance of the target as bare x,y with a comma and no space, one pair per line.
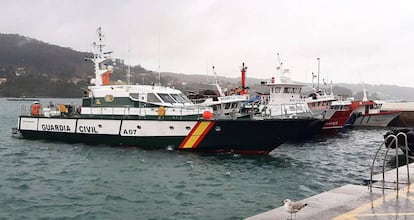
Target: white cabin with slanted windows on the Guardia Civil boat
138,101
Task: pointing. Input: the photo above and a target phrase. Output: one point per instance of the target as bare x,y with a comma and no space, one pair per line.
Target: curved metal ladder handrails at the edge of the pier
394,142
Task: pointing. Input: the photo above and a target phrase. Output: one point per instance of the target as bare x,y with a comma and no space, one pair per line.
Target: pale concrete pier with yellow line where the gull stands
356,202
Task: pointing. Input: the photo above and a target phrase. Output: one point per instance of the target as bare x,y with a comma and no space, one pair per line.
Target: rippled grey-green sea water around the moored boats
48,180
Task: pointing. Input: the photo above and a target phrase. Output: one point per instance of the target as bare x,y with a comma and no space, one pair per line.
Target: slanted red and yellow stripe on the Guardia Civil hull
197,134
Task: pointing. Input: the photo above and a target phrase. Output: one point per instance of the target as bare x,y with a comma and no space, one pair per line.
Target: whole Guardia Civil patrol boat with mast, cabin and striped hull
151,117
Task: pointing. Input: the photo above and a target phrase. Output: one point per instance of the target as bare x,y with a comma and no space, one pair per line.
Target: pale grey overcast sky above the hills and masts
357,41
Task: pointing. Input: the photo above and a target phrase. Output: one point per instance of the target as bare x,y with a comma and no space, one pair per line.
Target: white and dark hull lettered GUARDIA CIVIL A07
236,136
